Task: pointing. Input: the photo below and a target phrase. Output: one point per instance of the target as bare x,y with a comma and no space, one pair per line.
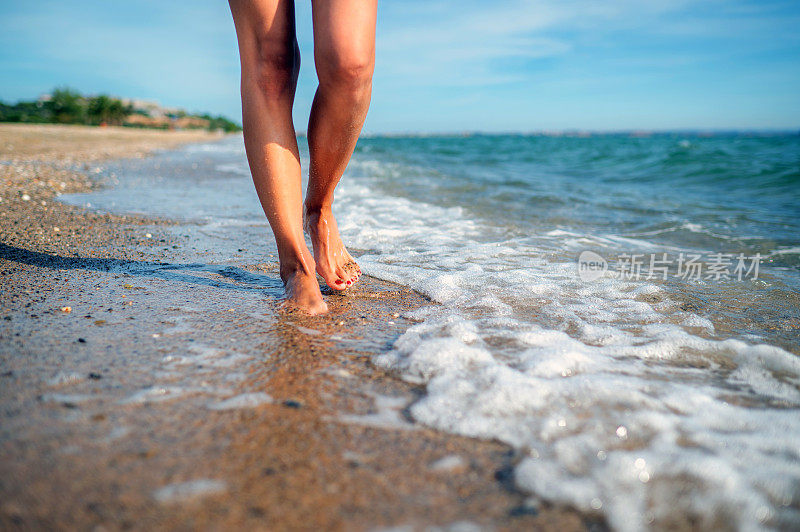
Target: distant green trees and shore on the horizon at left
66,106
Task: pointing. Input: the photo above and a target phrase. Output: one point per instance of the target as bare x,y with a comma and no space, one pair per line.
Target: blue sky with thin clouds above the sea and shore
445,65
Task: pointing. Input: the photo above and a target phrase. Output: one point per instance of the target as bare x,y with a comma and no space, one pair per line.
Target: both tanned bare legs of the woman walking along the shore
344,56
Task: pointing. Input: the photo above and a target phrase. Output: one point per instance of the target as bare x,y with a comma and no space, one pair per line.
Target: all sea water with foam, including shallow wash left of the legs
623,310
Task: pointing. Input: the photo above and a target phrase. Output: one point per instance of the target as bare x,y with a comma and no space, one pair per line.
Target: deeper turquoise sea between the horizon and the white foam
742,191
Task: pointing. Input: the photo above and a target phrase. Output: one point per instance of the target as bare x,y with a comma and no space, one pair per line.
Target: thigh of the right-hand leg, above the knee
344,34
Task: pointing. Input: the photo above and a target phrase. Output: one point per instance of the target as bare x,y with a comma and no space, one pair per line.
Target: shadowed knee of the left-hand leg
275,69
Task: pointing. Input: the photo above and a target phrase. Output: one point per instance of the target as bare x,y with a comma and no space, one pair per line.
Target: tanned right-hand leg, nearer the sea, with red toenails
344,55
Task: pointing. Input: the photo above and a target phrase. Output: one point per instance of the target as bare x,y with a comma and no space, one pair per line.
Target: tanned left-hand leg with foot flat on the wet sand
270,62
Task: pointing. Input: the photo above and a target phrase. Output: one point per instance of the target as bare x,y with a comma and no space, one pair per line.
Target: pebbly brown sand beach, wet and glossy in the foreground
142,387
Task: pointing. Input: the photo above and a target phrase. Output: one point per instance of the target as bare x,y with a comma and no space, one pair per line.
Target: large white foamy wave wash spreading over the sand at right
623,408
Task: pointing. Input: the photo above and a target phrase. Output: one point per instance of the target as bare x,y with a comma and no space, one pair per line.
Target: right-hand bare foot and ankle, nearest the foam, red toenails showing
334,263
